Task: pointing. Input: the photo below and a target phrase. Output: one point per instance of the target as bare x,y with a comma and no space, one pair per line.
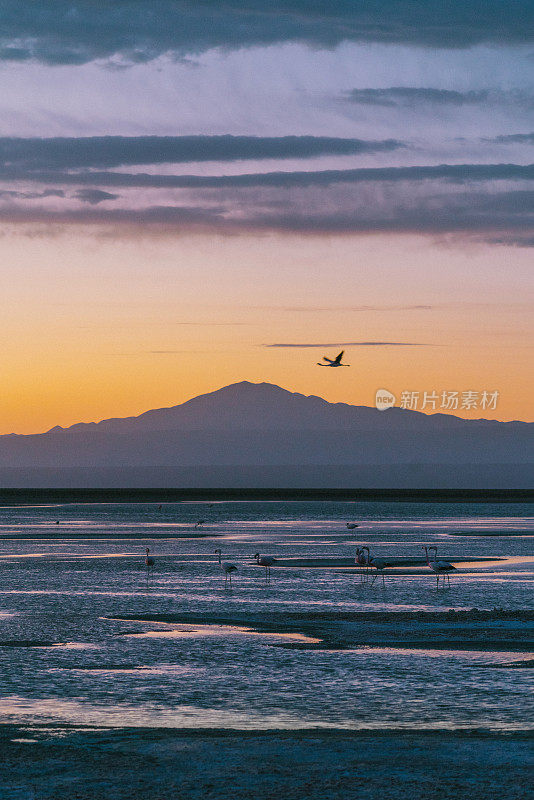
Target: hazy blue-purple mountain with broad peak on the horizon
245,431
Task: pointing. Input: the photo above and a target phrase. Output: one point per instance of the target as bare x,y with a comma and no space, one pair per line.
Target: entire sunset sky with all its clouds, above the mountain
194,194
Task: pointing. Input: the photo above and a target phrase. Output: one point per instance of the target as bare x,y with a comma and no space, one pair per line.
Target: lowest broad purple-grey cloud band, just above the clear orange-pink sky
465,210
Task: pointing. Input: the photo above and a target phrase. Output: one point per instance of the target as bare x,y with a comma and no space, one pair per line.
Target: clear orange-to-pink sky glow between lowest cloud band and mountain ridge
98,326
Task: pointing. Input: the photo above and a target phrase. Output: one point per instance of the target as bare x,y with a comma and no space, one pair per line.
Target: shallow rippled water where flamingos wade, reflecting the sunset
63,587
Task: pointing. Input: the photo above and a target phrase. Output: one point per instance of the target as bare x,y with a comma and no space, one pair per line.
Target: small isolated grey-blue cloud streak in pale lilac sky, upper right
401,96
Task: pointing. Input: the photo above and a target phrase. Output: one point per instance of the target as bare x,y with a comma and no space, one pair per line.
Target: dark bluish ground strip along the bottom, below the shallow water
127,764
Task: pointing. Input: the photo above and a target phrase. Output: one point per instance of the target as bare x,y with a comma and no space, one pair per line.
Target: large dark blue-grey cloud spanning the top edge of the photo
71,32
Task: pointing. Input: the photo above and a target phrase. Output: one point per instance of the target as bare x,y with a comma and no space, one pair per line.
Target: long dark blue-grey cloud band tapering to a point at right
120,151
